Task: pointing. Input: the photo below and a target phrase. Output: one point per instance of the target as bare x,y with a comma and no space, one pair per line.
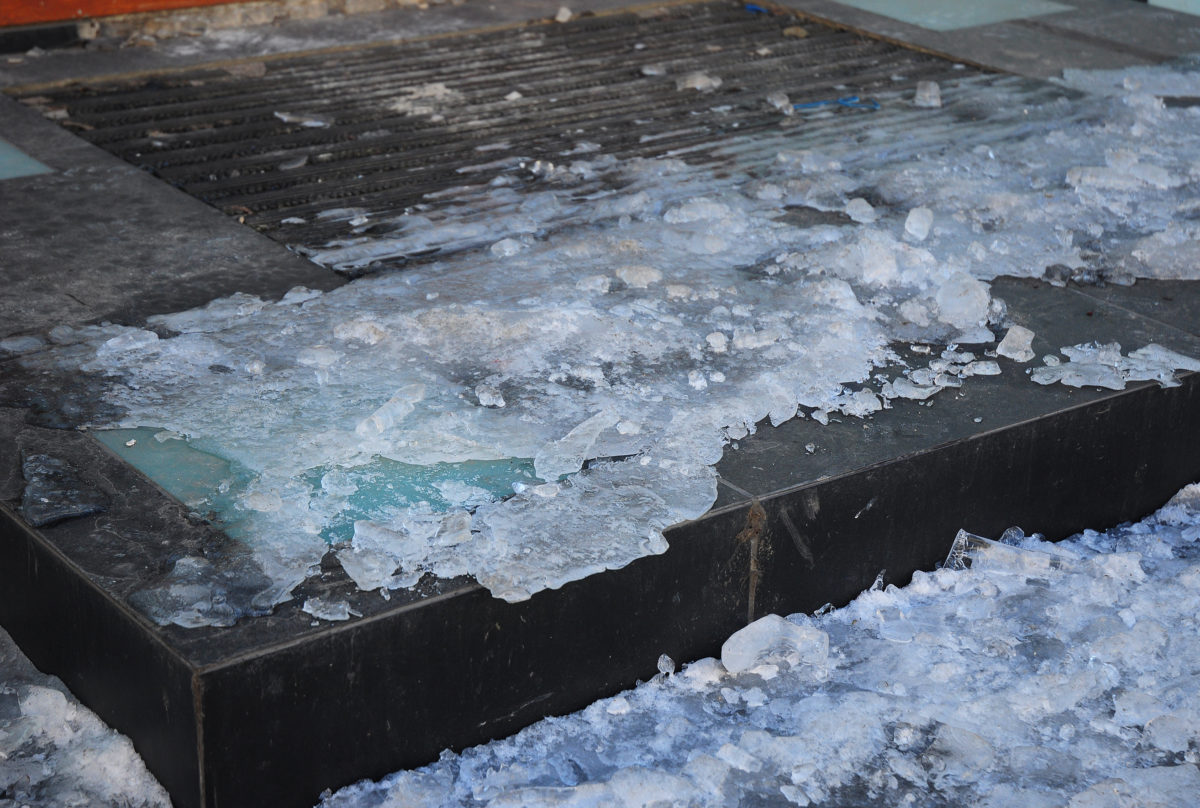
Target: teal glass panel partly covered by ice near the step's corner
382,489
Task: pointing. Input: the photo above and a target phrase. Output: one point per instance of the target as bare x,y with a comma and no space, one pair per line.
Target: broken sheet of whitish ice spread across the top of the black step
544,409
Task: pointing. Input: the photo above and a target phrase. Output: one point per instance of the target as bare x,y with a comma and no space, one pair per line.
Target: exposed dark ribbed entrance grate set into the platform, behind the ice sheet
394,129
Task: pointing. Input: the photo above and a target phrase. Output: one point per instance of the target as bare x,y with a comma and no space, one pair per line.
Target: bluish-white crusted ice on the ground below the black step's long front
1033,674
